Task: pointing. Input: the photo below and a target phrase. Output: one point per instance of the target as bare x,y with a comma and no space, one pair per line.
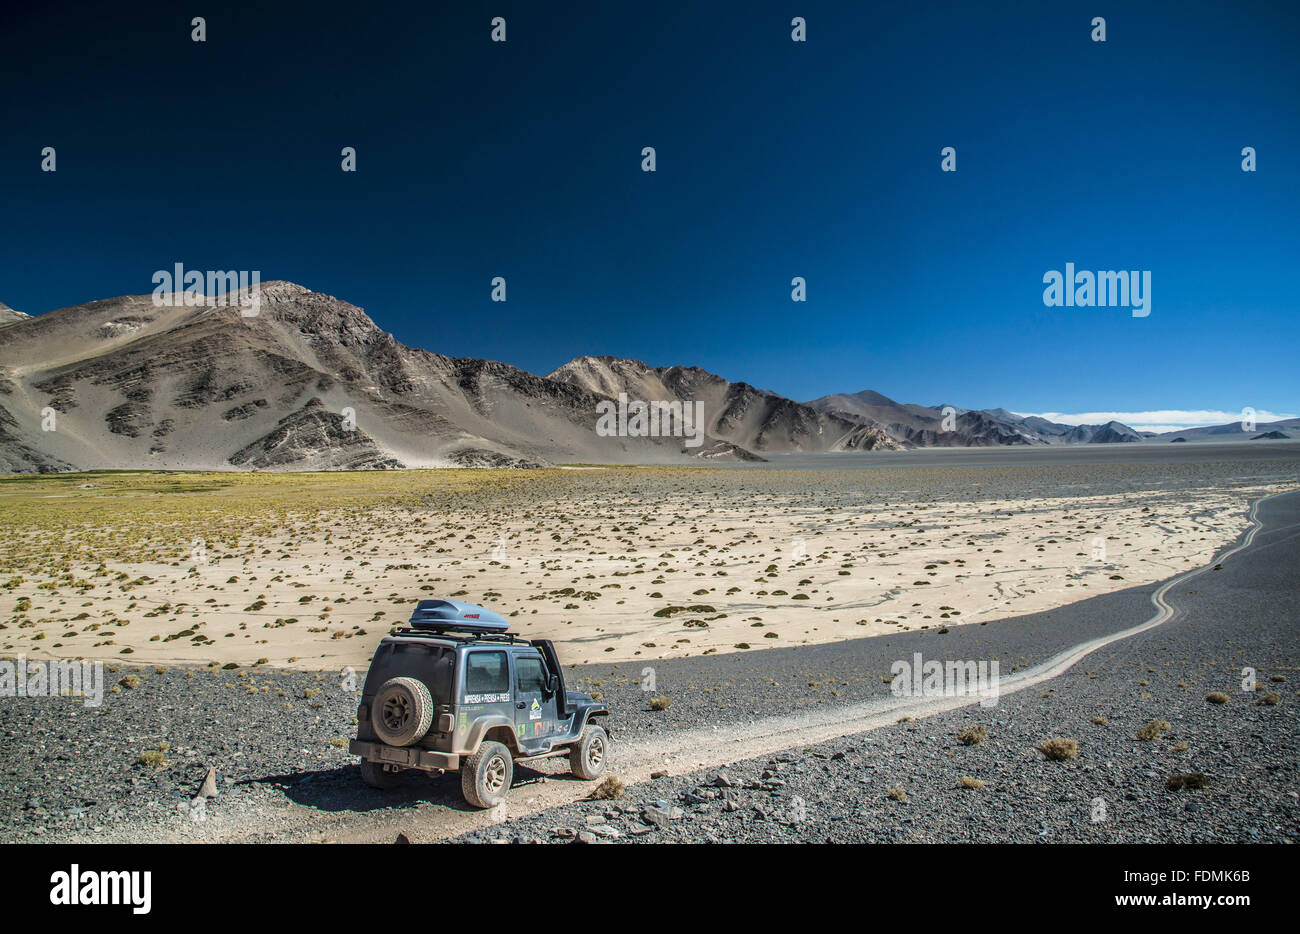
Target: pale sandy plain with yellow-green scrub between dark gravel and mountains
614,564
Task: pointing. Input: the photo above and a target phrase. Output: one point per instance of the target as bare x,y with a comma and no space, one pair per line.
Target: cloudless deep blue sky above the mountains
775,159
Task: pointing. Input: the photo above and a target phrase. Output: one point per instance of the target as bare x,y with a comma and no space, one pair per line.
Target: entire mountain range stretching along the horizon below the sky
311,383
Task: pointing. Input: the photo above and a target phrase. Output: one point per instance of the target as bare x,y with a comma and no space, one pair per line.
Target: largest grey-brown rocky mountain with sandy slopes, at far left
309,383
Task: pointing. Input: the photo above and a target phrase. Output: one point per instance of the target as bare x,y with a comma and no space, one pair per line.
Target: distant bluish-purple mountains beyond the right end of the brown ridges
924,426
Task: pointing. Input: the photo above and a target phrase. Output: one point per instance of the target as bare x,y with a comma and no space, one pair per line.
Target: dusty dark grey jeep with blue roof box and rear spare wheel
457,691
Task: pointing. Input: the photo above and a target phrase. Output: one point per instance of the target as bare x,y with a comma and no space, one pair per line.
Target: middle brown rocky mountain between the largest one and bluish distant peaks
736,413
